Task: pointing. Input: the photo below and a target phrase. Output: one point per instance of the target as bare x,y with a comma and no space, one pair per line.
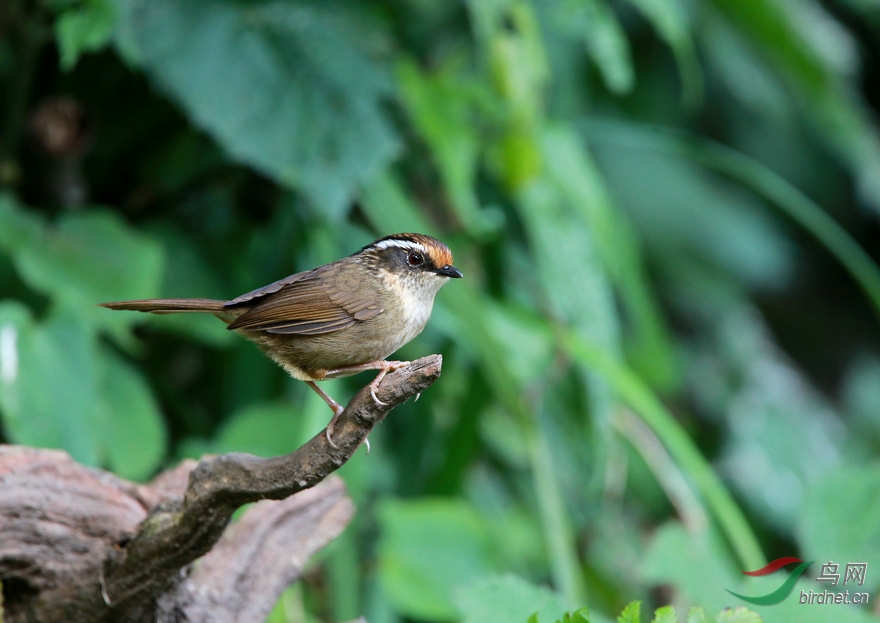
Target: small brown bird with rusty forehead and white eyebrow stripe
340,318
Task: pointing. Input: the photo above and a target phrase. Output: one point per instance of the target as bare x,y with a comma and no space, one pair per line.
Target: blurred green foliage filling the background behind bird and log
663,364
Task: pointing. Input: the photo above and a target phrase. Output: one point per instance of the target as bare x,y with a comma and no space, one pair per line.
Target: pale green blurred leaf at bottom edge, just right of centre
506,598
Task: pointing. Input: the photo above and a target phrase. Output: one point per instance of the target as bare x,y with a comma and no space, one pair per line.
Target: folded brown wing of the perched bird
304,304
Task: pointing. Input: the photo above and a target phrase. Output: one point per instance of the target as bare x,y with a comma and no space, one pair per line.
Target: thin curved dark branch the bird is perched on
175,535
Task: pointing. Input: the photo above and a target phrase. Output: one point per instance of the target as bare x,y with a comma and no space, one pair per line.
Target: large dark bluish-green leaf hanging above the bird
288,88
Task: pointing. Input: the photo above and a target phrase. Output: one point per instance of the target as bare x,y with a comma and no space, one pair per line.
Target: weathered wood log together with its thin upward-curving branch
80,544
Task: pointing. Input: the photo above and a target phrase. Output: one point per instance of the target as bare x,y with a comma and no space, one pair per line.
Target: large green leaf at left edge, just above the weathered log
57,390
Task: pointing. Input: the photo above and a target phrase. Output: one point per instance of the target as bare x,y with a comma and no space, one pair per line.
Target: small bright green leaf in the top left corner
86,28
